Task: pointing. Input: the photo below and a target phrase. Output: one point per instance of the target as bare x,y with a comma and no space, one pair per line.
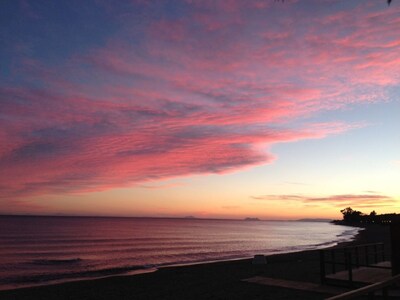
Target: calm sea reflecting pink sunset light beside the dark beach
43,250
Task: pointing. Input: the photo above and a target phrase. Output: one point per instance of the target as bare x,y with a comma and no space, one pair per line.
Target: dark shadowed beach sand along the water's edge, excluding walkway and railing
221,280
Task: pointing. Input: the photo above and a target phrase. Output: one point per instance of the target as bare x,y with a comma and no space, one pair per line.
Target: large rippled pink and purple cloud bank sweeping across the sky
203,93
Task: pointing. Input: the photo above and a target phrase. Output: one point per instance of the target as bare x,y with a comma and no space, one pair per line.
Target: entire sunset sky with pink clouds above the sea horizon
213,109
